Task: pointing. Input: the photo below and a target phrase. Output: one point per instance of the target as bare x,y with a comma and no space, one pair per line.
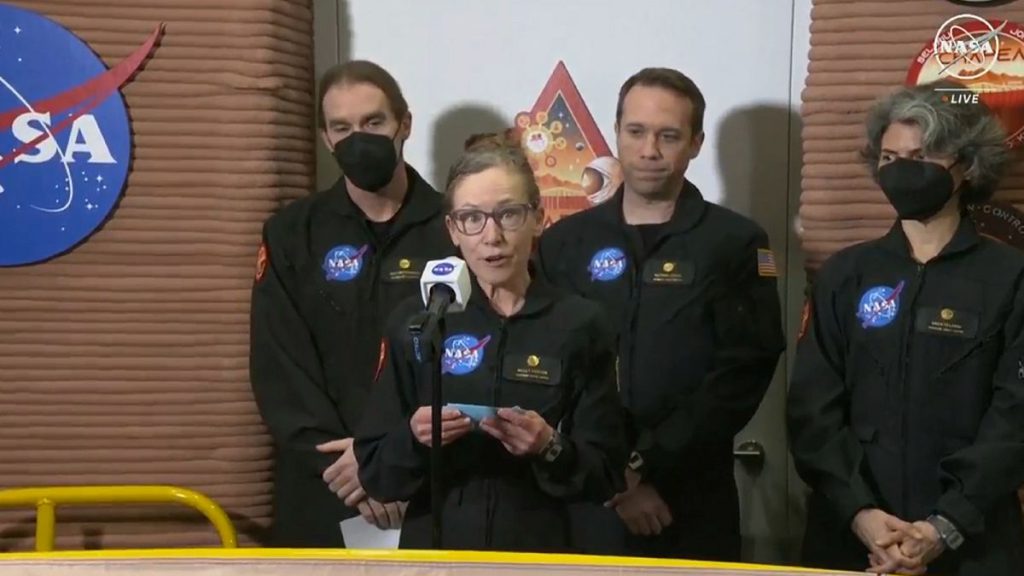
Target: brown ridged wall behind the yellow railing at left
126,360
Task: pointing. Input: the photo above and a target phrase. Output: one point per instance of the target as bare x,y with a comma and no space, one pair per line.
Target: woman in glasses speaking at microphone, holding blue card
540,363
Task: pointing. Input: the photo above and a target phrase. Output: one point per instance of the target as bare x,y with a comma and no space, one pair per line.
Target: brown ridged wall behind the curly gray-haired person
862,51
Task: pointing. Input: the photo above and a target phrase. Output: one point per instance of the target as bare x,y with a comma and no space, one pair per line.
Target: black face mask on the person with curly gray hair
917,189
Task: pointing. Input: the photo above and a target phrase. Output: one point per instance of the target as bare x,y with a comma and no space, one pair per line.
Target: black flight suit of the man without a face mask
700,336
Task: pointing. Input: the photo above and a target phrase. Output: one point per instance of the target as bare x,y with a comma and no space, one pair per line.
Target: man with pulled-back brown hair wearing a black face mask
331,268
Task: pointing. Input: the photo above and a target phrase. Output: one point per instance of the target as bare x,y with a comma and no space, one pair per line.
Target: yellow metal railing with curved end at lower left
47,501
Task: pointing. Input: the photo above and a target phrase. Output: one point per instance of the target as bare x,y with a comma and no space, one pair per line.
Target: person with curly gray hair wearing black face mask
907,402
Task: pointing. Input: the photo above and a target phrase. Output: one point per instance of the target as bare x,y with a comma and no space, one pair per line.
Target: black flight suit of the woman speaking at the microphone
556,357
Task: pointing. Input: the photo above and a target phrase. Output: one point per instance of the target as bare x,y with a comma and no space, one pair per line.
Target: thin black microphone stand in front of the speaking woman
428,330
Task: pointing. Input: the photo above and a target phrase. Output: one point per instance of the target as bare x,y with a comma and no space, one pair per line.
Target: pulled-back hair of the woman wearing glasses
484,152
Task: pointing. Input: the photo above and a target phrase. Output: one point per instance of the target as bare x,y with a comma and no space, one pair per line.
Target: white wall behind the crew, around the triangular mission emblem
497,57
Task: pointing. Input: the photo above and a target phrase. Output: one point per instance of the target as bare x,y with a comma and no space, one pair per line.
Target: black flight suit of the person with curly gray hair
908,395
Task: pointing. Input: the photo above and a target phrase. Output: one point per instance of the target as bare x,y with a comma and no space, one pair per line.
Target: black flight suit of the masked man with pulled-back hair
318,316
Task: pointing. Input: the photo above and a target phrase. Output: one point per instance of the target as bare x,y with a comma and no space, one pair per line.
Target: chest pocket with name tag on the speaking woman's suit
535,383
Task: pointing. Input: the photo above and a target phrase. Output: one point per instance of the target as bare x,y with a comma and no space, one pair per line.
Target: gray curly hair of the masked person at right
969,133
